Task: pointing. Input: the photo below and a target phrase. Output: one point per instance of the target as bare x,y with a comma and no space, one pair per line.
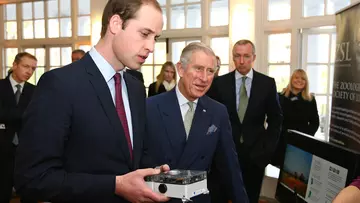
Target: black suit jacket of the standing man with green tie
259,143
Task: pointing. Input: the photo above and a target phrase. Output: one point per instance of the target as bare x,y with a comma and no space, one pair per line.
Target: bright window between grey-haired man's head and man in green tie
220,45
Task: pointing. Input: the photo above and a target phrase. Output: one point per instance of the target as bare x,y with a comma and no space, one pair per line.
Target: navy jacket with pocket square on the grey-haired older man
166,141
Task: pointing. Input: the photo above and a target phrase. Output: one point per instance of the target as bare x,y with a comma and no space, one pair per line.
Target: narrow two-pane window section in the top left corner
10,25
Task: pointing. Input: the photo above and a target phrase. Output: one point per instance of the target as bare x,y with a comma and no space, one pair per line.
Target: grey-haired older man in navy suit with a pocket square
188,130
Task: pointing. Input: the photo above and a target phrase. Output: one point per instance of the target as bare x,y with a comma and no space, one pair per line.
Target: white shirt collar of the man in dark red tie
105,68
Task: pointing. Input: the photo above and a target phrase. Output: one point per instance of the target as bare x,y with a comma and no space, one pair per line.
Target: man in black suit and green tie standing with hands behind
250,98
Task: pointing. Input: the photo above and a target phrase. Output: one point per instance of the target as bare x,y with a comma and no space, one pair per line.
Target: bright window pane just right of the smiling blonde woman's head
318,78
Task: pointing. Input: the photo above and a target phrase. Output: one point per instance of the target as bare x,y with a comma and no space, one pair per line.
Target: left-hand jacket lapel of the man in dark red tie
102,90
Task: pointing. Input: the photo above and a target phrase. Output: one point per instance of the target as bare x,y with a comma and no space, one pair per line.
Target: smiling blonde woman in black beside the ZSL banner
299,111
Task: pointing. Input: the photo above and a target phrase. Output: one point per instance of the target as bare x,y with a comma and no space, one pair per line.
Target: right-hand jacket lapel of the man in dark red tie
133,100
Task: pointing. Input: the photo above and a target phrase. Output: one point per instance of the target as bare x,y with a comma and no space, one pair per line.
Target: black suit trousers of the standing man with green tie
253,177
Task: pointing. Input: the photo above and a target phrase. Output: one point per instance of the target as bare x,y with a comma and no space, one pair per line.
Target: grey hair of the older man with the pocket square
187,52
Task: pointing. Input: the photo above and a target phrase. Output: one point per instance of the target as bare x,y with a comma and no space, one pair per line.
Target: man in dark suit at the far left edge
15,95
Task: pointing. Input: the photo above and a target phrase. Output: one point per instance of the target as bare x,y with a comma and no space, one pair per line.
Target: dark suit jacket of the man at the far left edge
10,122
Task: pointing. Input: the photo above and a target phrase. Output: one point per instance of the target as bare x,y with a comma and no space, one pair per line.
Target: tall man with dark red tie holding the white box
83,132
